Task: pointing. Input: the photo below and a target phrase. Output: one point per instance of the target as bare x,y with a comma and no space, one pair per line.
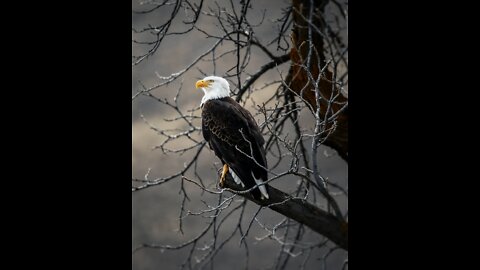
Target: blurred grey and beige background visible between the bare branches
156,210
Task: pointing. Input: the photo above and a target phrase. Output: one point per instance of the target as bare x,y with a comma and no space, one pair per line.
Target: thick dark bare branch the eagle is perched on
303,212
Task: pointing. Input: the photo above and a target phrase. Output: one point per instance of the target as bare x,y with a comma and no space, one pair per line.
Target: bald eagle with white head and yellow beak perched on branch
234,136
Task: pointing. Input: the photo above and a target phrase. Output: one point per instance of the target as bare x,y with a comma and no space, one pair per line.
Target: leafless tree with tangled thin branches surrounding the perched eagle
303,105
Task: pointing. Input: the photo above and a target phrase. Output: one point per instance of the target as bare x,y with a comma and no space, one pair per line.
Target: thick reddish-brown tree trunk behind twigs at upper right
298,78
